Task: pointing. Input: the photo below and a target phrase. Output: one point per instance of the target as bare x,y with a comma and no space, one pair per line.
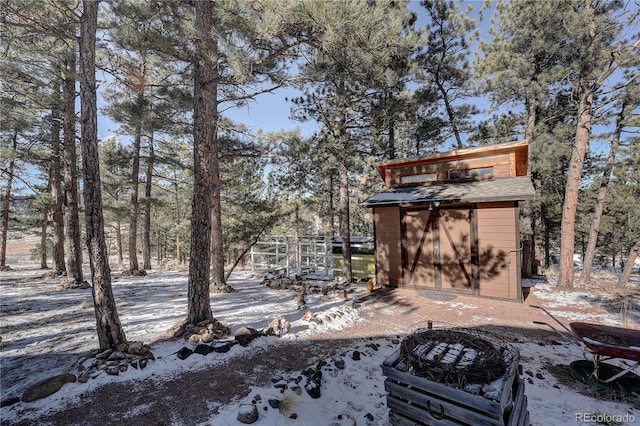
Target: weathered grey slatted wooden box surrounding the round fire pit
415,400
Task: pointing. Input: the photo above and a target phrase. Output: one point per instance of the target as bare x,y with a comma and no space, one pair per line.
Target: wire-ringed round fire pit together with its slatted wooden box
455,377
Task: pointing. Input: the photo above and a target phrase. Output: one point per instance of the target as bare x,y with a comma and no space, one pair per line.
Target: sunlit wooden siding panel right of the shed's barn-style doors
497,240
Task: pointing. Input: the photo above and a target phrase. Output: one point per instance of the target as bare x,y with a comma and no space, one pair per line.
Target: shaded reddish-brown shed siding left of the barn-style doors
388,245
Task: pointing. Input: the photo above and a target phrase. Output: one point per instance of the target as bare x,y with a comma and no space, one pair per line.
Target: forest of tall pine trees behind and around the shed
183,182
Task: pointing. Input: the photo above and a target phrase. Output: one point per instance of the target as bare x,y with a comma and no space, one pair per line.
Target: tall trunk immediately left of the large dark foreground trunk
73,246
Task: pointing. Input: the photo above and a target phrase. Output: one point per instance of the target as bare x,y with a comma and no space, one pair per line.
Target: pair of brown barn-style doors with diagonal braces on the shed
439,249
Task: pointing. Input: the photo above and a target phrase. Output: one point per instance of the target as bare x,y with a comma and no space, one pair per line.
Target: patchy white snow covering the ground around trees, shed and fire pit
44,329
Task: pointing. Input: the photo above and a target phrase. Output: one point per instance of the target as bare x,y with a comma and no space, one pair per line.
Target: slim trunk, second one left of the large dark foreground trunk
57,195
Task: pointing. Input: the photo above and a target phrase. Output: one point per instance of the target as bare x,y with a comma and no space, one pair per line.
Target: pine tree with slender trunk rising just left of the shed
351,44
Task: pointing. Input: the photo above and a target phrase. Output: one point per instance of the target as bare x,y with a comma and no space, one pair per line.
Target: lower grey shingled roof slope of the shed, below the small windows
490,190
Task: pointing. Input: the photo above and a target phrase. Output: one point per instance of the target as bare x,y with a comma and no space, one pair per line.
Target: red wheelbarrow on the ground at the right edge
602,343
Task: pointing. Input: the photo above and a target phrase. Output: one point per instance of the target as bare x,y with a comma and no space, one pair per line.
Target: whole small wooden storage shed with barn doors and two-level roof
450,222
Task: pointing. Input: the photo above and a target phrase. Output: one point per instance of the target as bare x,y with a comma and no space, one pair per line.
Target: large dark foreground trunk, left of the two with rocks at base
110,332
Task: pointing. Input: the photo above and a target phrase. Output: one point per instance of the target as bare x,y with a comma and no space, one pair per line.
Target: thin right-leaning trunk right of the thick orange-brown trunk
602,193
